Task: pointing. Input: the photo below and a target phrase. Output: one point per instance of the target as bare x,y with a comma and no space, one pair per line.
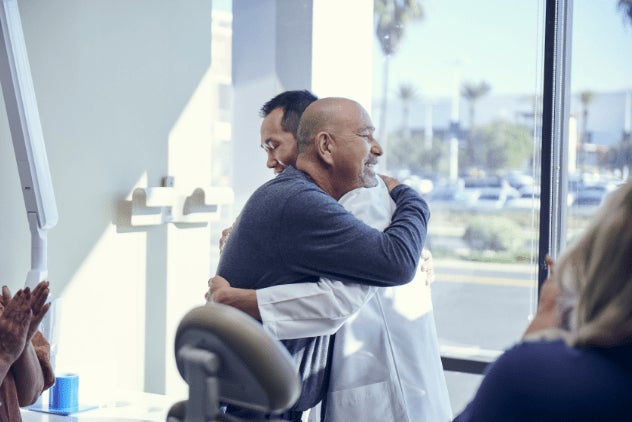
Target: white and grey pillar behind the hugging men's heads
281,45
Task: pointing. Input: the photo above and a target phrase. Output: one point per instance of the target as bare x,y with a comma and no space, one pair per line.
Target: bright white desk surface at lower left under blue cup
123,407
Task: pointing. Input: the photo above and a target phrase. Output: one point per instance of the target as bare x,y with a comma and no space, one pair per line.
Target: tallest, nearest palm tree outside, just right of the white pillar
391,16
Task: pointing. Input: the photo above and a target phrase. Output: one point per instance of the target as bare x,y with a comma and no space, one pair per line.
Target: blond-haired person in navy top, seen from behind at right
575,363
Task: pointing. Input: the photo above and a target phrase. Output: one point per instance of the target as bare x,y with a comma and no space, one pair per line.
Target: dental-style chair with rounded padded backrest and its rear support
225,356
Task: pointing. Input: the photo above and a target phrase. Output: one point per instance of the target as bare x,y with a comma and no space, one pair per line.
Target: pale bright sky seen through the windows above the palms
500,41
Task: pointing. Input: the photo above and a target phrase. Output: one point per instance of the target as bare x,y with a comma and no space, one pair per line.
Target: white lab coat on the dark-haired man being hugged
386,364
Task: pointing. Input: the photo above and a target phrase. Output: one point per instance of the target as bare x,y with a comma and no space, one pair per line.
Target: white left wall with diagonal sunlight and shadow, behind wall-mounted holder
124,100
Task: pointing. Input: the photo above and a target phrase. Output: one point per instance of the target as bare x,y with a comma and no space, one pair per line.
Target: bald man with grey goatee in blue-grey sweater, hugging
293,229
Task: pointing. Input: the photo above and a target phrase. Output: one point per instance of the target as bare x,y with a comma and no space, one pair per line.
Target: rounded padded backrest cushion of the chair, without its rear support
255,371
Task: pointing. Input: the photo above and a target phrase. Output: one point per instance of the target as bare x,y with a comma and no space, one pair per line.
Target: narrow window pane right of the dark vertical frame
600,144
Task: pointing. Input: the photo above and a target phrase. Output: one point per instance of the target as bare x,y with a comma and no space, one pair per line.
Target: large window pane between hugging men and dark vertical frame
461,123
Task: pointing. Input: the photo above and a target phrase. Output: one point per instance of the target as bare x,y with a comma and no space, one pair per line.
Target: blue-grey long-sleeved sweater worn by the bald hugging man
291,231
